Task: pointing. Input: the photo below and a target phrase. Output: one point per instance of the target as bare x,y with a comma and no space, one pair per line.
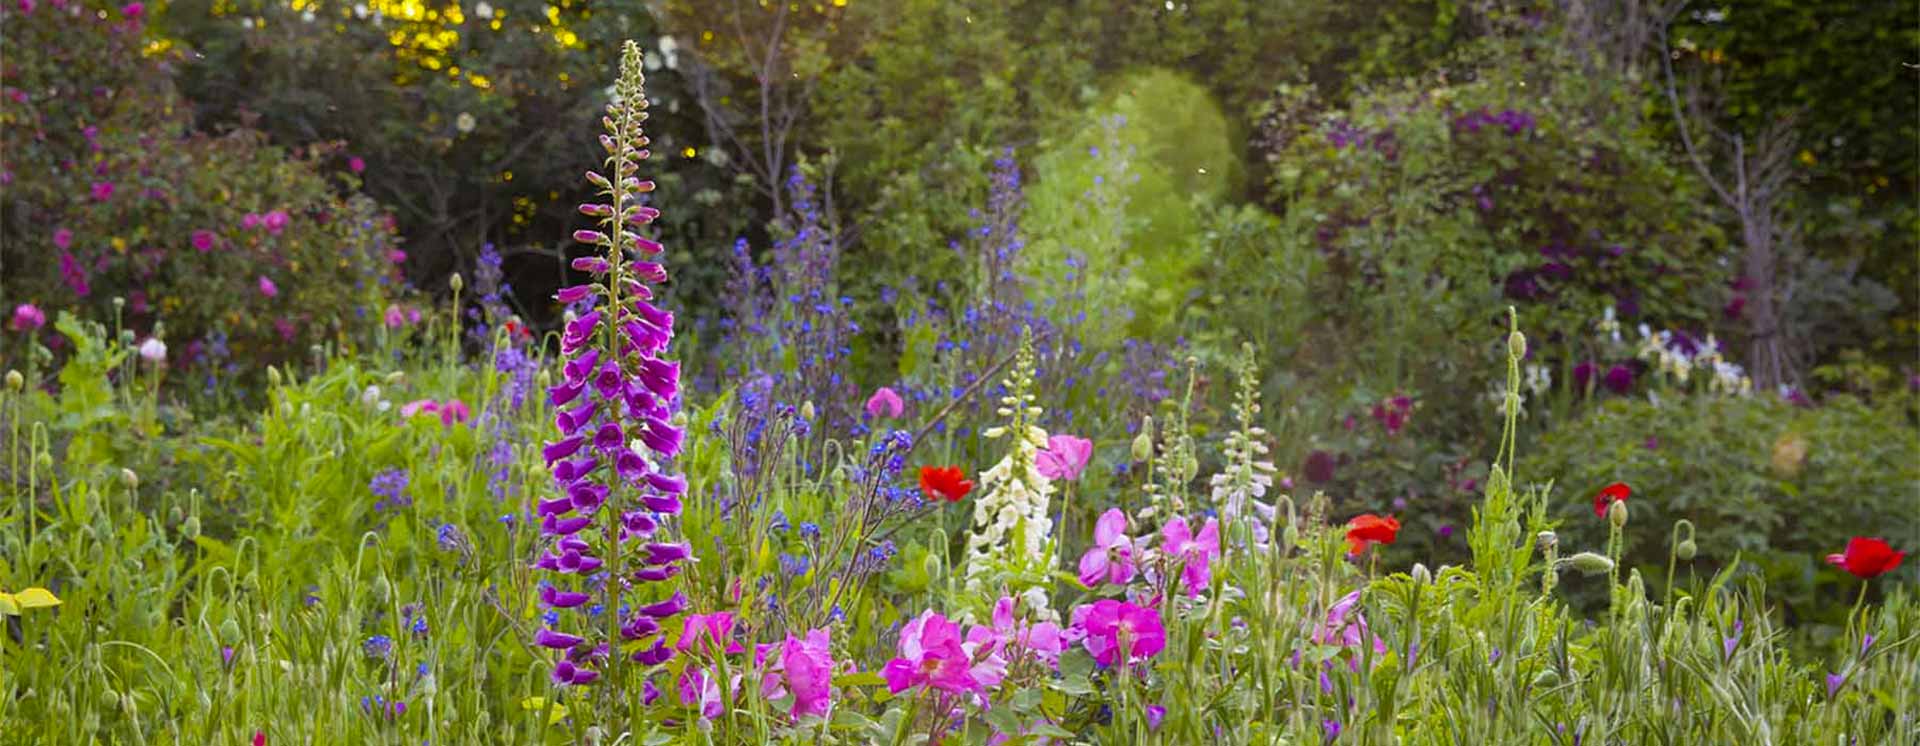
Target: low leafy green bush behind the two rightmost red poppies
1765,482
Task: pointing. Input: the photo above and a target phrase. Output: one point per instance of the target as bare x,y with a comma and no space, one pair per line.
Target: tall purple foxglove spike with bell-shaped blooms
608,532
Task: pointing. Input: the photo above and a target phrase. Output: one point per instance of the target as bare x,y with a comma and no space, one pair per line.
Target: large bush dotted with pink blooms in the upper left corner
116,198
